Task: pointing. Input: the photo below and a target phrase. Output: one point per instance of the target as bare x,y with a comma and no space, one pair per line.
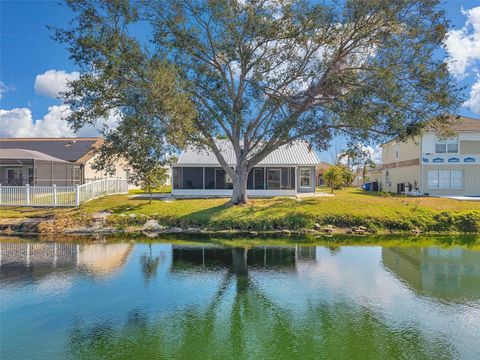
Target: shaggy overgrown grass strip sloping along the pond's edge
425,221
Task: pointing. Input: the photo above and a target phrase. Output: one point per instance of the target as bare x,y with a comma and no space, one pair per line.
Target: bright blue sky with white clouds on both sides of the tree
33,67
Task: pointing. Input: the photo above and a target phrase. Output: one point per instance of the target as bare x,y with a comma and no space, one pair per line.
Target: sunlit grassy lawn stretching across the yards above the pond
349,207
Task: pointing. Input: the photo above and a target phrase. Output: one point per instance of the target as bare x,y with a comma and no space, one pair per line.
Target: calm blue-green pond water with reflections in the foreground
192,300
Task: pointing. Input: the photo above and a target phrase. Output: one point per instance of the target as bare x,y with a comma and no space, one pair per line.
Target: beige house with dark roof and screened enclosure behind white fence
48,161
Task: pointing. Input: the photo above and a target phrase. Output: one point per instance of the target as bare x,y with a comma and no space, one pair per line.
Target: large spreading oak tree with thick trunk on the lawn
262,73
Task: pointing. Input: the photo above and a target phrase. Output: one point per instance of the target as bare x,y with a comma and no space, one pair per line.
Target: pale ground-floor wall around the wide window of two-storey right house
471,176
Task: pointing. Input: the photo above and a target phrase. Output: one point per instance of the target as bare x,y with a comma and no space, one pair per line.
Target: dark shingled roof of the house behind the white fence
69,149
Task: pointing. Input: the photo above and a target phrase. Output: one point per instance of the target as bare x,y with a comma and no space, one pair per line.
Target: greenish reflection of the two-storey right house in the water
452,274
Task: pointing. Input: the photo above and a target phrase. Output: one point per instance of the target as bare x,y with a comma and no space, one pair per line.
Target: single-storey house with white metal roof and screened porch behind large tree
286,171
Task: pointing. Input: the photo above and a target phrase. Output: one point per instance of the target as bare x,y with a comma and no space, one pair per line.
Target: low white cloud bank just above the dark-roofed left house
20,123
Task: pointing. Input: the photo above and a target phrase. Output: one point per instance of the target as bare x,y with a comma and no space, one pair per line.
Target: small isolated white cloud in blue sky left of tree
52,82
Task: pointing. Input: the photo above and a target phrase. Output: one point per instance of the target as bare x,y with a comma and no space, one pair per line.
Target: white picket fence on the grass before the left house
60,195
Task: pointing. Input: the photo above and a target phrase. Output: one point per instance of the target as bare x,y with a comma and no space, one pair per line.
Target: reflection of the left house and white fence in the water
21,261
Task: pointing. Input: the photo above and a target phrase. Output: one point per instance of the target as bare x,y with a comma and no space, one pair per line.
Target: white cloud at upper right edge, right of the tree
463,45
